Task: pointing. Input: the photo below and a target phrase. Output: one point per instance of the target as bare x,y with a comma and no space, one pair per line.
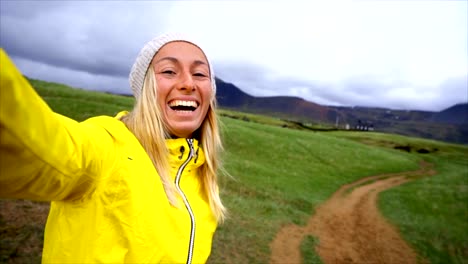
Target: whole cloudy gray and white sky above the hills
394,54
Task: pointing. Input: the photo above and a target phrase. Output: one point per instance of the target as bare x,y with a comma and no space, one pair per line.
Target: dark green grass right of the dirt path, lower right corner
432,213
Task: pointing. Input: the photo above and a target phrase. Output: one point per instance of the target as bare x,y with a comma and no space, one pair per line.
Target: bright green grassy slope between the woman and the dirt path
281,175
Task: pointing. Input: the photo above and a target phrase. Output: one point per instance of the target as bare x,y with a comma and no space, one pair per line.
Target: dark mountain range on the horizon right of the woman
449,125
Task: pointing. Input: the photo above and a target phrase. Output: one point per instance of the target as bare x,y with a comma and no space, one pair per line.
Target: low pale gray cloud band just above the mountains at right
365,90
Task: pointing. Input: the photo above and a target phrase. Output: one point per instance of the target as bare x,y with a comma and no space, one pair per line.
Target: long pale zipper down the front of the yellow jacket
187,205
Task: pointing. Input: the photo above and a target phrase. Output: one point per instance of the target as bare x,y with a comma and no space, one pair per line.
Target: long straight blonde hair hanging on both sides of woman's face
146,123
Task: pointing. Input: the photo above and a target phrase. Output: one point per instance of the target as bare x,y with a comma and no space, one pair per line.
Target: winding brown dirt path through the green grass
349,226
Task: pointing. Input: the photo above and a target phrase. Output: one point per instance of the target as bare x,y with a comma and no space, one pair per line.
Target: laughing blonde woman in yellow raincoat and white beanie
140,187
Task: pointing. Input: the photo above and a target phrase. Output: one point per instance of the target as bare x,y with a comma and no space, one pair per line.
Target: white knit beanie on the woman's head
143,60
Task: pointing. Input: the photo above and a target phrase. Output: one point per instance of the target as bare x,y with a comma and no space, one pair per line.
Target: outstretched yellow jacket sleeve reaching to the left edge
43,155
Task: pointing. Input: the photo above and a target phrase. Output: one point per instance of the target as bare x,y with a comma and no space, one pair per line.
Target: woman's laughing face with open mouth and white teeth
183,85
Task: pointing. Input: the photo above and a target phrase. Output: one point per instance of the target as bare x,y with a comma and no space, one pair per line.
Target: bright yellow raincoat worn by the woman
108,203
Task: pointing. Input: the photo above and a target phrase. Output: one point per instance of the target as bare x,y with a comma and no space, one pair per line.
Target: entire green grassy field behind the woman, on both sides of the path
279,175
